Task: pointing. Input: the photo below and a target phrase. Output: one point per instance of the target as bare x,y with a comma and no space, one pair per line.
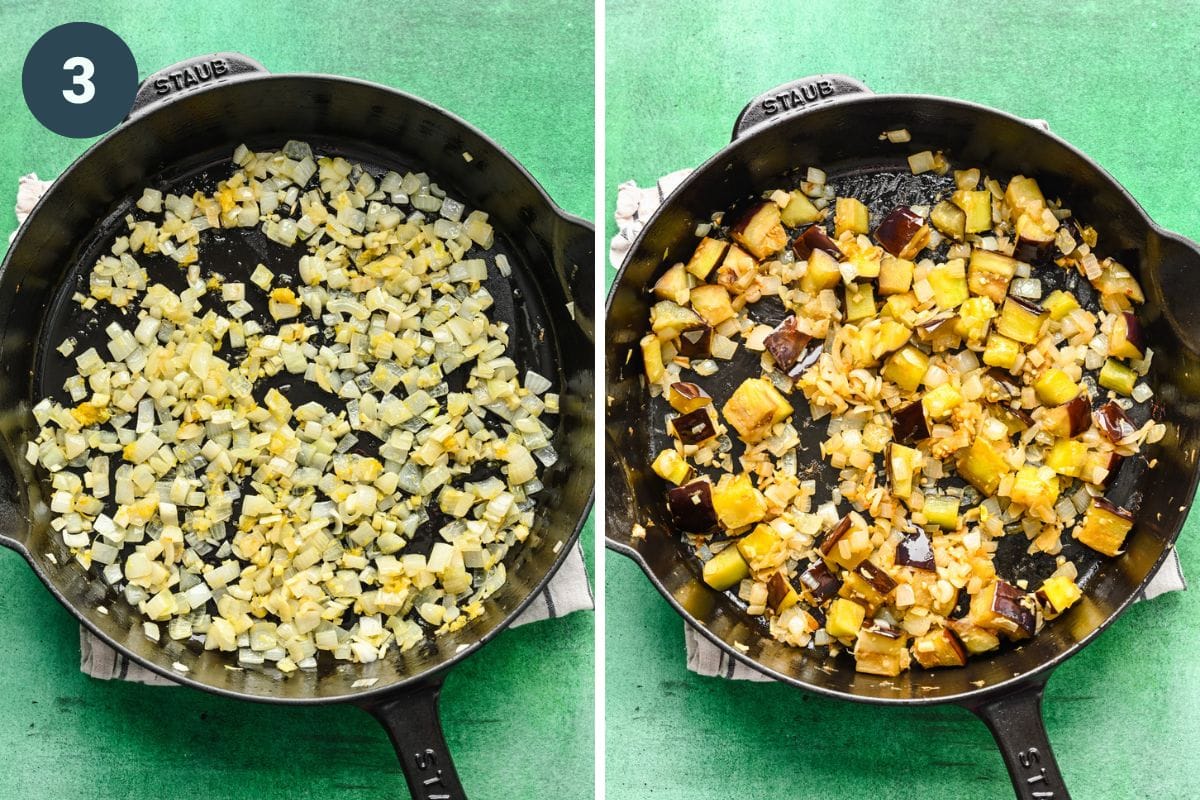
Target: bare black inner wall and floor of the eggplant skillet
844,141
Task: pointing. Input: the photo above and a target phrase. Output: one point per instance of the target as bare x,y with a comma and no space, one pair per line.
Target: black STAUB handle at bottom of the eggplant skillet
1016,723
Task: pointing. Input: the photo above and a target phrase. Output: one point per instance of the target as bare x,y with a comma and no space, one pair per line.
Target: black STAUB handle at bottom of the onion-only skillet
416,730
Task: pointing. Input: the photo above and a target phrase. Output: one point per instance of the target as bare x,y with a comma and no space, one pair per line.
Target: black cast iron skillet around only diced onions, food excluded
178,130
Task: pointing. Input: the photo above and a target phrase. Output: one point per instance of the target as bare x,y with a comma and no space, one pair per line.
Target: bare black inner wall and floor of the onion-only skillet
188,147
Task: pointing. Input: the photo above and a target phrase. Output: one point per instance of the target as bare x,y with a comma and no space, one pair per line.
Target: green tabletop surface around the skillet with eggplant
1118,80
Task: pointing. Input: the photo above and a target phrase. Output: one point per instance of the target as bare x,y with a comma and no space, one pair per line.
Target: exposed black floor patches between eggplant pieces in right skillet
883,189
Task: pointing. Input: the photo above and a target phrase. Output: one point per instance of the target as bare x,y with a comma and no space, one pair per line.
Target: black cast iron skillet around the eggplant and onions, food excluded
836,123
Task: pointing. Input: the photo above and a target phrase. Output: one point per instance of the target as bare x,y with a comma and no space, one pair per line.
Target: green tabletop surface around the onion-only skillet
519,717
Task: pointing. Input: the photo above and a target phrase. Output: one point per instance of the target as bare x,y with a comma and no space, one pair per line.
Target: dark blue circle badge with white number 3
80,80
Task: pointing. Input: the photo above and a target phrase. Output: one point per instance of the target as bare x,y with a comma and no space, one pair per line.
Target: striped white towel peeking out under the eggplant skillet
635,206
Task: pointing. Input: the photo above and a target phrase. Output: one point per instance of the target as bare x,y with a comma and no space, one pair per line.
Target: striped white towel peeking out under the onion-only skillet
568,591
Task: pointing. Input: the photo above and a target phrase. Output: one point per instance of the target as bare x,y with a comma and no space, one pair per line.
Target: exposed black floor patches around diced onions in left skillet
235,254
